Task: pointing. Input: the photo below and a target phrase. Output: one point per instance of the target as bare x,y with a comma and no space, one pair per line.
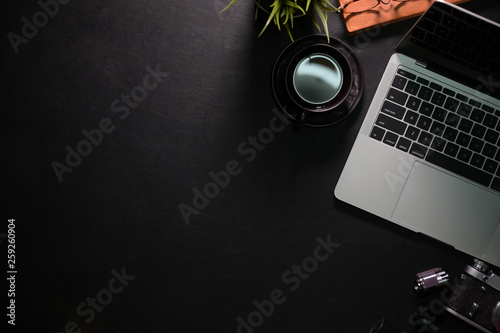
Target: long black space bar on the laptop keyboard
459,168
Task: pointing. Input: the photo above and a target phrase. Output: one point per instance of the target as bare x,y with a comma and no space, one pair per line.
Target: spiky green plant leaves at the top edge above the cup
282,12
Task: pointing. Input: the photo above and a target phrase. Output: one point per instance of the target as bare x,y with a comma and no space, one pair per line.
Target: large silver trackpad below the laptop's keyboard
446,208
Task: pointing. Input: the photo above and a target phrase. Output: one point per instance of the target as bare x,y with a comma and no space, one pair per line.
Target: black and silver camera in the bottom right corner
475,297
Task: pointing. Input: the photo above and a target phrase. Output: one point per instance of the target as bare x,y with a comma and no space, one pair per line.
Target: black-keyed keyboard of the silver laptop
443,126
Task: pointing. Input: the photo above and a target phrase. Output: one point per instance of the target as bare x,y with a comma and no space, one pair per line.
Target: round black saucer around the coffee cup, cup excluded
314,115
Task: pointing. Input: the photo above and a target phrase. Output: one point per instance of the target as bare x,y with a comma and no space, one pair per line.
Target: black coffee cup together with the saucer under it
316,82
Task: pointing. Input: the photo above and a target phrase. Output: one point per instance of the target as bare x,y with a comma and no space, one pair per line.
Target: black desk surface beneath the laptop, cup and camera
105,248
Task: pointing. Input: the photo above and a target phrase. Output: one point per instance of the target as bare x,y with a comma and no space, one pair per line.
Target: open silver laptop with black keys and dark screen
427,156
